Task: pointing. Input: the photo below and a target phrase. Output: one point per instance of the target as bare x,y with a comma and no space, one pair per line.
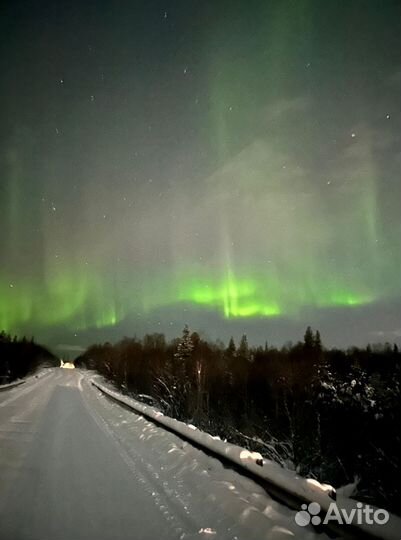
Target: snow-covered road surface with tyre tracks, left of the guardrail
75,465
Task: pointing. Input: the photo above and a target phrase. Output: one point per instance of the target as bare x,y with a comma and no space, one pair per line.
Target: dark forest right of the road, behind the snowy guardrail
329,414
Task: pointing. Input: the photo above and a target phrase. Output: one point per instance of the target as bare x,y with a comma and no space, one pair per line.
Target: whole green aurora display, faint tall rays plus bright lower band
288,201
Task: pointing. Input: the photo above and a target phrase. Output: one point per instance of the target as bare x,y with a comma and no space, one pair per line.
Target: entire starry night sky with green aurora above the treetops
230,165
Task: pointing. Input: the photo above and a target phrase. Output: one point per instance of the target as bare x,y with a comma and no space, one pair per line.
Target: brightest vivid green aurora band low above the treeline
83,301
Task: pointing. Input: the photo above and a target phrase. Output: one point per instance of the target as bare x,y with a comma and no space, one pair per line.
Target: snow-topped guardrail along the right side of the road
286,485
